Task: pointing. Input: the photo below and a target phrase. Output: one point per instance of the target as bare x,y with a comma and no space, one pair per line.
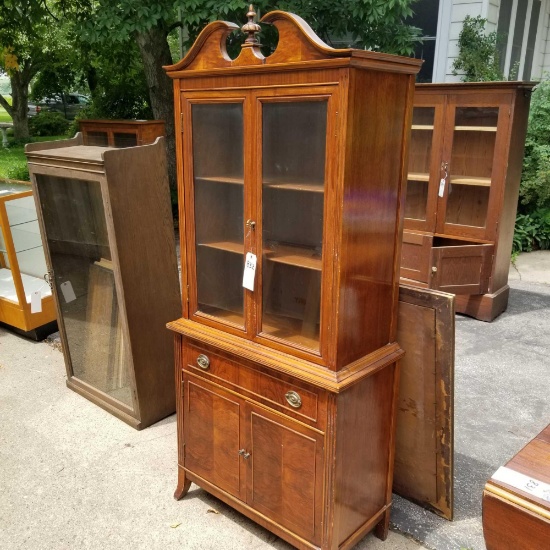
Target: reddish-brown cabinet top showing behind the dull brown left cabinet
120,133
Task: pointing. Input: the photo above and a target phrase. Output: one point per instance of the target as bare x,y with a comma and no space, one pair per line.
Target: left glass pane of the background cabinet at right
420,154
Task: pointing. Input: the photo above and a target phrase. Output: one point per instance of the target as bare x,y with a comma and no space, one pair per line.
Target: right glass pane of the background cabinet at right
471,165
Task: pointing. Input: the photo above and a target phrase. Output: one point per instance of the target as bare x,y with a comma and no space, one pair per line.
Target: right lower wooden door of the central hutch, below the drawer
285,472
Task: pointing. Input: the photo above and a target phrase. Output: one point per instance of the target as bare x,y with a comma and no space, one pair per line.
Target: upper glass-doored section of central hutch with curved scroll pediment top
295,160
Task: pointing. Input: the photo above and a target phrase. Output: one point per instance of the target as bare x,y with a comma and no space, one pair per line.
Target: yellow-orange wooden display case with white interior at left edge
26,302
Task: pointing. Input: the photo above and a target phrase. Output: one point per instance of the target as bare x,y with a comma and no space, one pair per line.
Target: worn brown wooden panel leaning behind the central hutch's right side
424,442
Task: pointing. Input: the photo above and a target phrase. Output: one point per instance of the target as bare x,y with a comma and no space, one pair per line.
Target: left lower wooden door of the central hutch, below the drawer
212,435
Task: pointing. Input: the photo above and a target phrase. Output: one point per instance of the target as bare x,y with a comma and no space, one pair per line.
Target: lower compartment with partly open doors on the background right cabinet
449,265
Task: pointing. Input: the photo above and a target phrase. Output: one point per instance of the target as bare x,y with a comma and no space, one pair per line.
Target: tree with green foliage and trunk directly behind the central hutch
374,24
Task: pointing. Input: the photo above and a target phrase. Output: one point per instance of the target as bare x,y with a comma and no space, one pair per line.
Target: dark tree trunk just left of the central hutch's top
153,46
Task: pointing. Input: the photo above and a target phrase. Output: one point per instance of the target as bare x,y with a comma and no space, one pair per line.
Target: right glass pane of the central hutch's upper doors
294,143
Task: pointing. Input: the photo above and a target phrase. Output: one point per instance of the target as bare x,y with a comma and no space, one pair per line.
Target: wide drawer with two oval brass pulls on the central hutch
278,392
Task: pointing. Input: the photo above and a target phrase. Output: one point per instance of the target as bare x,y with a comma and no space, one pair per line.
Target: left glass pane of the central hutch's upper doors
219,209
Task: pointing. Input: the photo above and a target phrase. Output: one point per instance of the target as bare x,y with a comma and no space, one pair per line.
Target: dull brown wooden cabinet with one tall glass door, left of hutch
106,222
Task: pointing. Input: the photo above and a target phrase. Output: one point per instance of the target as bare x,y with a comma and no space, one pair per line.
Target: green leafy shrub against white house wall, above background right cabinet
478,54
